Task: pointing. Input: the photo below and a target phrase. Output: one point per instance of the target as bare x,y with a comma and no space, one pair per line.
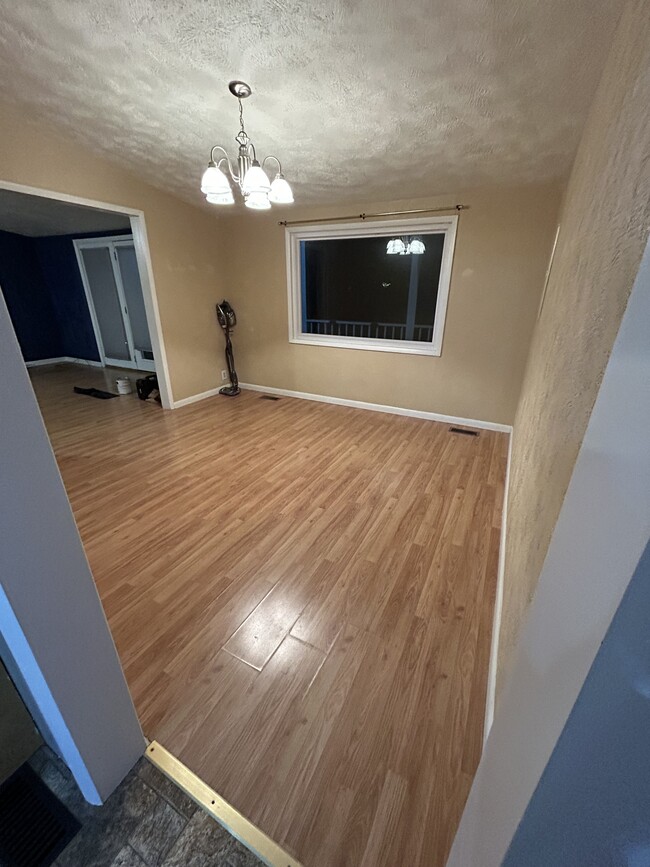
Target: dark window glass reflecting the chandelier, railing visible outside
353,287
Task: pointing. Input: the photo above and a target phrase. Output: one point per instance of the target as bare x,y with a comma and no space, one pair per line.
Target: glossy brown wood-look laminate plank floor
301,595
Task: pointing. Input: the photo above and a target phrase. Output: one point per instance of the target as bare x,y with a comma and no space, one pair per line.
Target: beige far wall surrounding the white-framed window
502,251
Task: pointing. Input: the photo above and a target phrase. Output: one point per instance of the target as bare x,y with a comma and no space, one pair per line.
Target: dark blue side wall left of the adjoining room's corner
28,298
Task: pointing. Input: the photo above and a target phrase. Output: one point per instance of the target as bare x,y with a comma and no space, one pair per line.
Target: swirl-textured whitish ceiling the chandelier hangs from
361,100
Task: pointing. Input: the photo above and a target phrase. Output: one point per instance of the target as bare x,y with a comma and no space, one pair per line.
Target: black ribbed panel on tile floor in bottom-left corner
35,827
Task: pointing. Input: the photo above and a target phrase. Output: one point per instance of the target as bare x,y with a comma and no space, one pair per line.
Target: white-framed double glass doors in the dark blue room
109,271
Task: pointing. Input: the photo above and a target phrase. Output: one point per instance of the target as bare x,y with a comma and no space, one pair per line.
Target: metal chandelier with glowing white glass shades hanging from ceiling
258,192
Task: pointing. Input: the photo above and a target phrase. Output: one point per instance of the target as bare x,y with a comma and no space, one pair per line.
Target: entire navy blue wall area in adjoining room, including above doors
44,293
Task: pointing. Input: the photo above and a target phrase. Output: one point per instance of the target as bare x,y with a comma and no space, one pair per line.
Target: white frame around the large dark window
360,229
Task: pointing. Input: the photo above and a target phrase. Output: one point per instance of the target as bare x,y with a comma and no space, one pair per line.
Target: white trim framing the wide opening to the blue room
143,256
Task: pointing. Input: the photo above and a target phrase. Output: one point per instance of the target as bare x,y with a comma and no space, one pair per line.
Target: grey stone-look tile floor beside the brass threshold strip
147,822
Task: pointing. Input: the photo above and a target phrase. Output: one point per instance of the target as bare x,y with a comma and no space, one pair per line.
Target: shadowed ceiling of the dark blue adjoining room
36,216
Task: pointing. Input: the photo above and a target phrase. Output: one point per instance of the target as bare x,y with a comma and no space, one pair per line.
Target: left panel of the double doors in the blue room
107,303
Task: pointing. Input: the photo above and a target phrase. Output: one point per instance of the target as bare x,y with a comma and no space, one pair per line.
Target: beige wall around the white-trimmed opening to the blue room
183,240
